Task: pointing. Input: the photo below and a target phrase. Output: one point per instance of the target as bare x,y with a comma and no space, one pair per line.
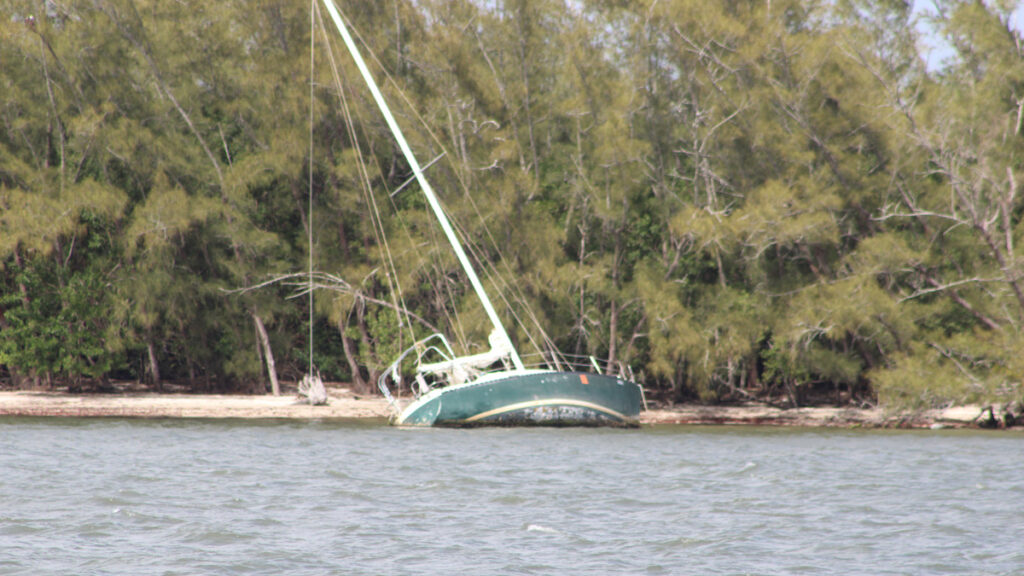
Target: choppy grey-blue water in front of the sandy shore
175,498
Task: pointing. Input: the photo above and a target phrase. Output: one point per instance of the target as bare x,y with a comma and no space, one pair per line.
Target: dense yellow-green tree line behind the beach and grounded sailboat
738,199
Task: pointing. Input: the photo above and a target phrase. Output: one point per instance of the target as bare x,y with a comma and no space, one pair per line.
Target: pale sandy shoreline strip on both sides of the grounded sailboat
345,405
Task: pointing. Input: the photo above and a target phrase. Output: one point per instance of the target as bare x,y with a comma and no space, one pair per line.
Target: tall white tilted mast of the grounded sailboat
424,185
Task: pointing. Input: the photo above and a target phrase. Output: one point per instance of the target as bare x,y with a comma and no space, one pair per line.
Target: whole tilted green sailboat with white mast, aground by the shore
466,391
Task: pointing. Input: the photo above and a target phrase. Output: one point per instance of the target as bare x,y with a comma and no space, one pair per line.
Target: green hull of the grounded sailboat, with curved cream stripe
531,398
